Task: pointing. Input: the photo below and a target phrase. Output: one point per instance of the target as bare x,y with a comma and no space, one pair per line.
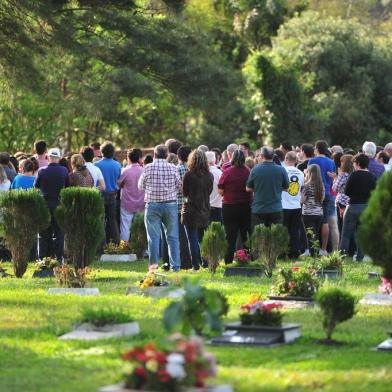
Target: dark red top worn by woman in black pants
233,182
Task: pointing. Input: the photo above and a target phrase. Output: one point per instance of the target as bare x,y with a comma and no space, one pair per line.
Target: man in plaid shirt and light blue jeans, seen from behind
161,181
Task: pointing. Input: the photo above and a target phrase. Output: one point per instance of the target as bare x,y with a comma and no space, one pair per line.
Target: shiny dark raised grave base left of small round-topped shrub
258,335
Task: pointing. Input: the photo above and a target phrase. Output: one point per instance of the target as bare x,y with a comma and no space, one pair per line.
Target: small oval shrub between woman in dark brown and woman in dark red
214,245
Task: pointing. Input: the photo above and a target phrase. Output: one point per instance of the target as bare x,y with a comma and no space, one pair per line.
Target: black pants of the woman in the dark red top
236,218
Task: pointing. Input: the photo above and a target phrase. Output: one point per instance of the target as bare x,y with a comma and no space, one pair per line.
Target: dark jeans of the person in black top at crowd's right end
350,226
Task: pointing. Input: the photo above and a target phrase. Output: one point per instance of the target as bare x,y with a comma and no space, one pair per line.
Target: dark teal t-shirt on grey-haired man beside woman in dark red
267,180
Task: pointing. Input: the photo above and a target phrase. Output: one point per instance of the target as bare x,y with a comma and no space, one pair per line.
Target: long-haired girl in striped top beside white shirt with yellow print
312,198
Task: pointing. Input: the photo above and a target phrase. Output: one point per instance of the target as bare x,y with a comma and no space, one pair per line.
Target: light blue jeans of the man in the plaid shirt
165,214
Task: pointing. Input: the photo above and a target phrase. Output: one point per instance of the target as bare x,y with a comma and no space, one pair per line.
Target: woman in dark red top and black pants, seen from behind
236,203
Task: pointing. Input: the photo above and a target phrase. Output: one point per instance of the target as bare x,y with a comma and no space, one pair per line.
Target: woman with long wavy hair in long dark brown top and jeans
195,215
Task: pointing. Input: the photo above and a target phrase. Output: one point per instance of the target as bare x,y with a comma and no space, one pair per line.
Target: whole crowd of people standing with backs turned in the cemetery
318,192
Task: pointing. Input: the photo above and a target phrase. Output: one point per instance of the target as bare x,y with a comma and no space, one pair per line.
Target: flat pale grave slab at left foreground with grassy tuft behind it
88,331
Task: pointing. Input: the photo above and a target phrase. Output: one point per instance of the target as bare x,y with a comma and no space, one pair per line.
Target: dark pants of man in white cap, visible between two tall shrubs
51,240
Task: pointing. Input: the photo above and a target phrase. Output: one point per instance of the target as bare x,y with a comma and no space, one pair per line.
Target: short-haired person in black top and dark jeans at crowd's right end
359,186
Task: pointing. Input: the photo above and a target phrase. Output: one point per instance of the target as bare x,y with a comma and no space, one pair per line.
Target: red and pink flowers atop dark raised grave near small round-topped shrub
258,312
